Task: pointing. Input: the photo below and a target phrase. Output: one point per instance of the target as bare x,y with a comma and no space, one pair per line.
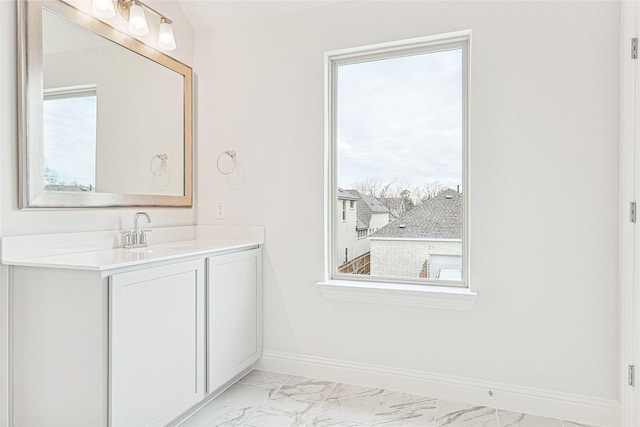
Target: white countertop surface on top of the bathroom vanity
110,259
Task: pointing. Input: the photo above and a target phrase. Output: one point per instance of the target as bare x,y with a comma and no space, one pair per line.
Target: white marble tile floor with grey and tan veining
267,399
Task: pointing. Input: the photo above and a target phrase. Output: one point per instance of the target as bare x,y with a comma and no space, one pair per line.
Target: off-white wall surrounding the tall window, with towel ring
544,149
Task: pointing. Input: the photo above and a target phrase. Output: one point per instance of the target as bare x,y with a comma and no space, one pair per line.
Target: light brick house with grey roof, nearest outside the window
426,242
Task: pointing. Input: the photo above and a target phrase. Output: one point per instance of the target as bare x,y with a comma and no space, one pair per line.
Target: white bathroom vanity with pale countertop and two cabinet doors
131,337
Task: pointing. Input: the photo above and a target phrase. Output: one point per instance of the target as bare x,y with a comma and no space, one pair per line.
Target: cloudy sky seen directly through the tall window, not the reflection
401,119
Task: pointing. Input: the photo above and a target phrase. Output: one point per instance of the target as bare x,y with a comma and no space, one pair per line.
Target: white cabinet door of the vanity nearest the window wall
234,314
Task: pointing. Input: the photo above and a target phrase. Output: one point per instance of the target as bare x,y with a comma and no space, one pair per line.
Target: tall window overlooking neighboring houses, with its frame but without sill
397,132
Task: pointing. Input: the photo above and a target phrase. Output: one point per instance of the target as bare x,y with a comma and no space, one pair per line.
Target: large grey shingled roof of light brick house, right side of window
438,218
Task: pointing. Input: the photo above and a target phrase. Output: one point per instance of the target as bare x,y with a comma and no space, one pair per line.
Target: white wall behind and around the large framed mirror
17,222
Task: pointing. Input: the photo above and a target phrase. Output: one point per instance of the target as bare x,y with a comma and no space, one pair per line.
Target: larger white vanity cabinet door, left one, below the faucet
157,343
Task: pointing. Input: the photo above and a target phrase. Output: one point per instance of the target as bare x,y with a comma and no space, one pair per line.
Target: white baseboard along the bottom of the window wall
564,406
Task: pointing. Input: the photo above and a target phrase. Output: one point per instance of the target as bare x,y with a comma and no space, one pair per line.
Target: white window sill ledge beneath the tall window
461,299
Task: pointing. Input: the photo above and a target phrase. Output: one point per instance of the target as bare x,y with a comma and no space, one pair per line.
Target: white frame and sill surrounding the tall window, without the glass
335,286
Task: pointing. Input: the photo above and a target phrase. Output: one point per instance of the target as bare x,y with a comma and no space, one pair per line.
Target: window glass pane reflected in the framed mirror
70,127
